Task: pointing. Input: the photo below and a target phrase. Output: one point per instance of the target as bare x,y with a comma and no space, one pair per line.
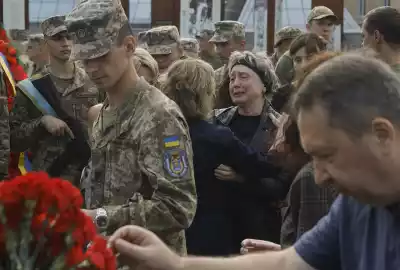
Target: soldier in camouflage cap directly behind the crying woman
229,36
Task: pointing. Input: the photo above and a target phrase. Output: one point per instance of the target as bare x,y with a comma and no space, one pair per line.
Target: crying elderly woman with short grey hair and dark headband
254,201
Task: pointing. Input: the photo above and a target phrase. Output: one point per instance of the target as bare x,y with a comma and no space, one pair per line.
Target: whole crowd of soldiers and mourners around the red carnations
197,147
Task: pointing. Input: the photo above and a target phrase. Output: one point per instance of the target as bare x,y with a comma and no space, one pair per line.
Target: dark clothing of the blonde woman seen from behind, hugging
211,231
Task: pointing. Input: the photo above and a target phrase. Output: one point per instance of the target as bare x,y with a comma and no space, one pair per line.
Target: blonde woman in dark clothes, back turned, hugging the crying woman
190,83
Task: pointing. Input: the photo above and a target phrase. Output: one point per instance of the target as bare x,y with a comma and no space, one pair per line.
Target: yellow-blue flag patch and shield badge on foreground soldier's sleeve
175,158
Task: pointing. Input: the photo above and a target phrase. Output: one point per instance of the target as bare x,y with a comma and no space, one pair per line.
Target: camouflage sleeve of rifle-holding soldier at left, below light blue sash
24,124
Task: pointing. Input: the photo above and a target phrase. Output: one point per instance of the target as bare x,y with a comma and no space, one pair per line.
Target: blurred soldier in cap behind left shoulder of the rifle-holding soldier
36,51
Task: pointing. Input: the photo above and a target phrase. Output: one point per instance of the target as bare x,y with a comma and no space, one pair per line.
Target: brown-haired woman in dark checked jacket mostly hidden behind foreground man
307,202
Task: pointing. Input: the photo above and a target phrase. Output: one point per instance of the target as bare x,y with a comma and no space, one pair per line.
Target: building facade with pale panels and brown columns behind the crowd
261,17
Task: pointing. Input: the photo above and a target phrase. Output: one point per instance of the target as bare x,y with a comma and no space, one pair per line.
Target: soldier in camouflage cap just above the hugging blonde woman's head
163,43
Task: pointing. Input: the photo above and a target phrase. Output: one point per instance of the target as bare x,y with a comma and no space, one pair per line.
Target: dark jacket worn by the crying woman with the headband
254,203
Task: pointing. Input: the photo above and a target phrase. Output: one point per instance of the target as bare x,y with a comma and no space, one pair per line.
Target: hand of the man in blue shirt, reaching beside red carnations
142,249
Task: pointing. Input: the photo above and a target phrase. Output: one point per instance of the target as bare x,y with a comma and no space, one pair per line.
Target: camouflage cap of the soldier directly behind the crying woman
226,30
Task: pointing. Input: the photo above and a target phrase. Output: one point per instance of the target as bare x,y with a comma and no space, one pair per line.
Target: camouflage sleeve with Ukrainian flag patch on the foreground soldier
166,159
